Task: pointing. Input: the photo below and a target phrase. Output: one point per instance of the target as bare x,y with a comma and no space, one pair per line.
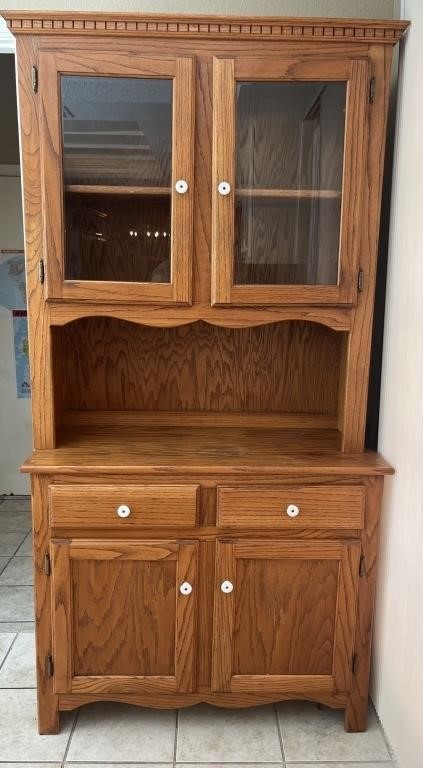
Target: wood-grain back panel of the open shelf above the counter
109,364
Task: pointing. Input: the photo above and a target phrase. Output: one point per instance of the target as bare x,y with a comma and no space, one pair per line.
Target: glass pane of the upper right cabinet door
289,166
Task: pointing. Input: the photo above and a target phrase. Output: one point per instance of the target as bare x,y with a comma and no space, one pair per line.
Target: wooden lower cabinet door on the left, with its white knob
123,615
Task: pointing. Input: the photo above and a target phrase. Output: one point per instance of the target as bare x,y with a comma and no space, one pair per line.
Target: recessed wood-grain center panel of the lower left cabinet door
123,617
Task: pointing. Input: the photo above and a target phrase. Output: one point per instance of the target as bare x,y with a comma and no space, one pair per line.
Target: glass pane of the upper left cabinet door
117,167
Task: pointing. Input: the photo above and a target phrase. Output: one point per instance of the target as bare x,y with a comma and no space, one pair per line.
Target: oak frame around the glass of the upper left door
87,62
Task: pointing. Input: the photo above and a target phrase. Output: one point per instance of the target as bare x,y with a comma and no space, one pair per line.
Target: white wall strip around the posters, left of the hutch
15,416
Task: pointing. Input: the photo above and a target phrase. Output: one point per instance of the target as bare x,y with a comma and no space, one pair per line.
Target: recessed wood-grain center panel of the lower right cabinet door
285,617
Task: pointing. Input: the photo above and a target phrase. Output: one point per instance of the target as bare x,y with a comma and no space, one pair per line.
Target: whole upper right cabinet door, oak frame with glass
287,182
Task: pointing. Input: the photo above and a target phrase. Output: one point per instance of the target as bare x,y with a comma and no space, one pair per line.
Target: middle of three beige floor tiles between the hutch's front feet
210,735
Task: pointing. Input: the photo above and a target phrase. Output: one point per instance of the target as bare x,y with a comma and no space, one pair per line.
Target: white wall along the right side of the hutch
398,659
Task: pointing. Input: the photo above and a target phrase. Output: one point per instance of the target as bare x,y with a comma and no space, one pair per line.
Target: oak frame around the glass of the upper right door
226,71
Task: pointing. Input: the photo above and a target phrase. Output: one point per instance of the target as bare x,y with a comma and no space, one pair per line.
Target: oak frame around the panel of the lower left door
63,551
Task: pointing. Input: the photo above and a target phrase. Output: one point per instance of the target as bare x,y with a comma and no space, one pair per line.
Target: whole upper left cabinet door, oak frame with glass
118,160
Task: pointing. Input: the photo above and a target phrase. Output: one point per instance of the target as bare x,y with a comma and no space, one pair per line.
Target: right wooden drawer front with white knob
294,506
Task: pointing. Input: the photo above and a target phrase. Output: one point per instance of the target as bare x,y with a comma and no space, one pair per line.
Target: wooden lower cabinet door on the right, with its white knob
284,616
